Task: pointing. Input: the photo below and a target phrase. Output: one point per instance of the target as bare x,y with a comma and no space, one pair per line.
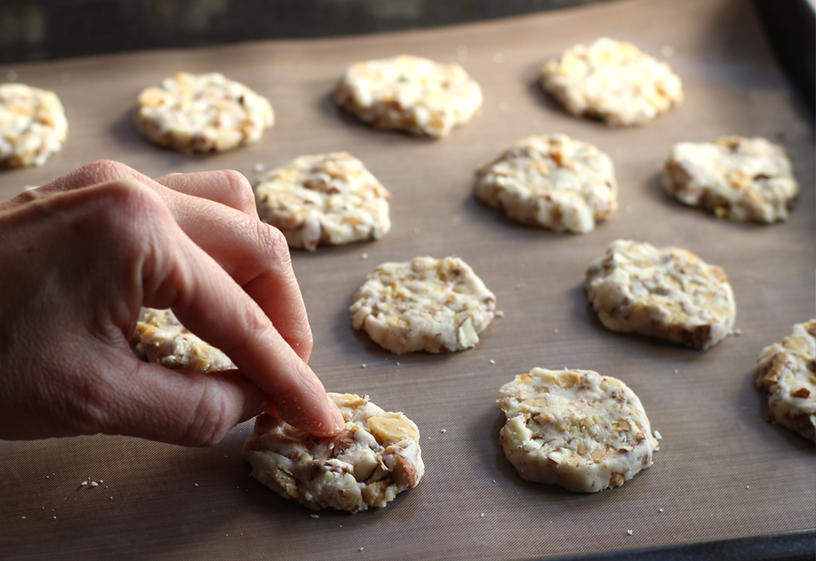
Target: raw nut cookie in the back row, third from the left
409,93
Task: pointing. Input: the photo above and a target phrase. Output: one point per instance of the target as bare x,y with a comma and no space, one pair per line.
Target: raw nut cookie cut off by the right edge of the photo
787,370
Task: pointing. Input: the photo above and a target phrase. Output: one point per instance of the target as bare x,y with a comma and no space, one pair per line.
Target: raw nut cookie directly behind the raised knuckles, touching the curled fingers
327,199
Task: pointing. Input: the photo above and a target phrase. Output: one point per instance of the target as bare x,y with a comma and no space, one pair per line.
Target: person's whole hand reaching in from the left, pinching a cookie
82,254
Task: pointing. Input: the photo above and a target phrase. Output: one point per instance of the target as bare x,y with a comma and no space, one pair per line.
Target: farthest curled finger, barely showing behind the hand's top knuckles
227,187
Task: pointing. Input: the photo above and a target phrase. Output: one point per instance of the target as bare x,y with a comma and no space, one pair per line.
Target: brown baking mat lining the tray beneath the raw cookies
722,472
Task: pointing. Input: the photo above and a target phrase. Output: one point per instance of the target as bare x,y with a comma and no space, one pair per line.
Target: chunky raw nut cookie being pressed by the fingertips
375,457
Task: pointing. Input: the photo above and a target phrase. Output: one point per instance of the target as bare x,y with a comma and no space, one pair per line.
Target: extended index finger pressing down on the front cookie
179,274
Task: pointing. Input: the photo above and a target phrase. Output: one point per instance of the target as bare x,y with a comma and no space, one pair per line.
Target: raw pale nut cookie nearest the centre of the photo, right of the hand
435,305
